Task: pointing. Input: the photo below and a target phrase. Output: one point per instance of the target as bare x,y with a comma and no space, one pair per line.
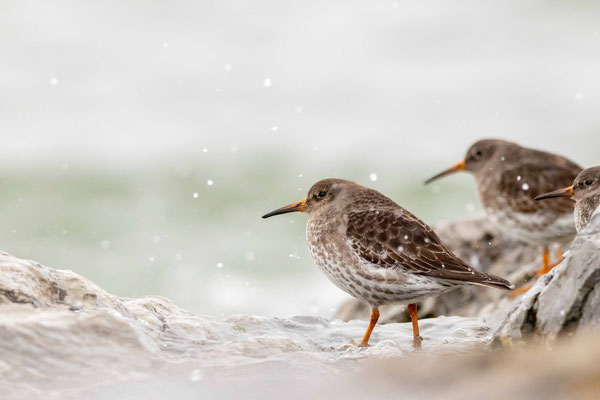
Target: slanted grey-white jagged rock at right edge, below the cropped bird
564,301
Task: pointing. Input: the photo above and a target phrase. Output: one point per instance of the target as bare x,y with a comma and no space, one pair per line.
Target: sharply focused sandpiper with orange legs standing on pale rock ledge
378,252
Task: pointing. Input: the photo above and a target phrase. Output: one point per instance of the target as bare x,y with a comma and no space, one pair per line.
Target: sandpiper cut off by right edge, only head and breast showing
586,193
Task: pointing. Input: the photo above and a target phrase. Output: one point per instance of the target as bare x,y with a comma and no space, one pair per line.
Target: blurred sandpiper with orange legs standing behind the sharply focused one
509,177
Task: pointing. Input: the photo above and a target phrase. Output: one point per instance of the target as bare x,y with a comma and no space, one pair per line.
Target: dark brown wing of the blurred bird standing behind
528,180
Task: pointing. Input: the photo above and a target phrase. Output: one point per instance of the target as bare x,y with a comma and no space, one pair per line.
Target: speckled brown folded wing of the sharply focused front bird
397,239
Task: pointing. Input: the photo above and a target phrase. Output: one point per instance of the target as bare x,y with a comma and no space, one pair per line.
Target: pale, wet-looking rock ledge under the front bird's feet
61,336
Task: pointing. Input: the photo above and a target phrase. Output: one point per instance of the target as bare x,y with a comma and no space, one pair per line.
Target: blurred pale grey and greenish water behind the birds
142,141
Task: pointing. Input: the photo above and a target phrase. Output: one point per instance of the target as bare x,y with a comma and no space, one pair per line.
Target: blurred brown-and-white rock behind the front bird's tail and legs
481,244
